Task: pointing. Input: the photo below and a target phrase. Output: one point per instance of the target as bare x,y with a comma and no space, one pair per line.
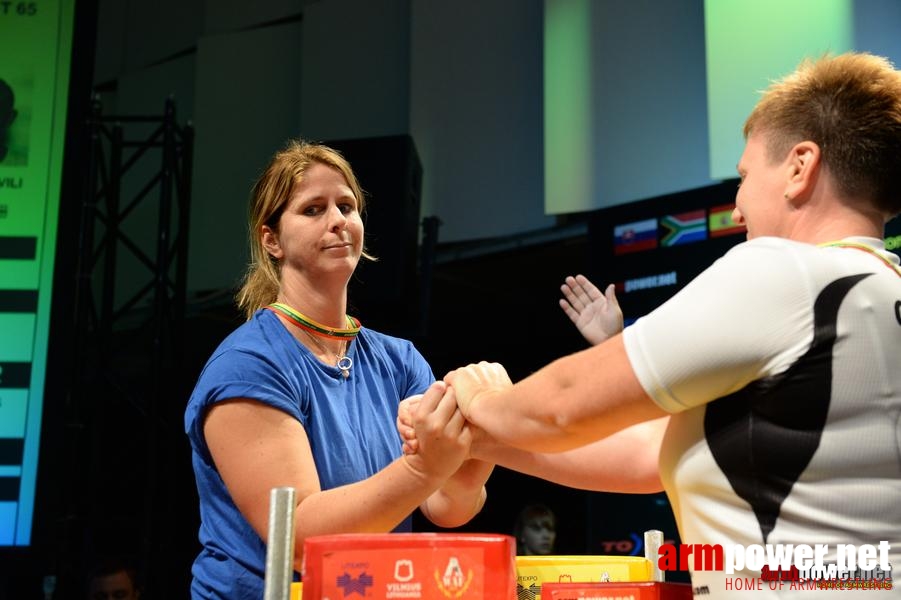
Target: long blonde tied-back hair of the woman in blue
268,199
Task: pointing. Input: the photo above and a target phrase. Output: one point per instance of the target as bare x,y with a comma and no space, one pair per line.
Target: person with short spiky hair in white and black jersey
768,386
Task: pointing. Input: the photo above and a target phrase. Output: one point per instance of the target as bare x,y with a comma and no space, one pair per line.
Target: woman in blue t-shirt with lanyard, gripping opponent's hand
303,395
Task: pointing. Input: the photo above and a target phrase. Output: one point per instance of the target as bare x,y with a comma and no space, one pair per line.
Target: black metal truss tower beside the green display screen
124,417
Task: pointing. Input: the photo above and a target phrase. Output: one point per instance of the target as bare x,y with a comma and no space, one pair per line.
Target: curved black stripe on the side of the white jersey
764,435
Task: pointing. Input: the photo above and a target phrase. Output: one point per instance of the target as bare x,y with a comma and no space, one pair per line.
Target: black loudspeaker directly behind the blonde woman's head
384,294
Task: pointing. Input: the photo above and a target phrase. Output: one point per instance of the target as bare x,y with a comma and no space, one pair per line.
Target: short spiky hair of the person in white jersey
850,106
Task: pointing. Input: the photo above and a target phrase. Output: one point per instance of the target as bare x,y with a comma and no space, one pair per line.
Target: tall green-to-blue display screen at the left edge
35,50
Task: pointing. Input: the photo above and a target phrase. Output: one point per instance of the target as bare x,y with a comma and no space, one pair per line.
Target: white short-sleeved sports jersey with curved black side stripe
781,366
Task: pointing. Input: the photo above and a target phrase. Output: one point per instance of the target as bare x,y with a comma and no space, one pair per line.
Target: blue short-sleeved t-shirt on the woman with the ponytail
350,423
